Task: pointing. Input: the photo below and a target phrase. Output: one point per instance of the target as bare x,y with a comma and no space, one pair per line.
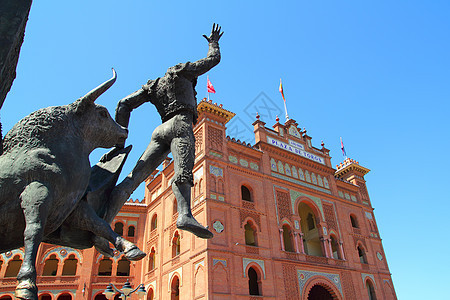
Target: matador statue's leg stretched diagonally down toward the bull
152,157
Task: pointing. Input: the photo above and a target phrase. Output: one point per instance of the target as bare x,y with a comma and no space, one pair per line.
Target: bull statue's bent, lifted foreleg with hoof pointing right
85,218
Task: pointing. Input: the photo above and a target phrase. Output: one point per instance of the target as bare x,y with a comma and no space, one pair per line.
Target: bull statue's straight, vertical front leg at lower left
34,201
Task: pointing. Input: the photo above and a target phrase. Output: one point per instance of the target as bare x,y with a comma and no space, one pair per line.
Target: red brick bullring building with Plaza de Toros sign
287,225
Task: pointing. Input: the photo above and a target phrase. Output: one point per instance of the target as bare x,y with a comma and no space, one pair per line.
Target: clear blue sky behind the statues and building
374,72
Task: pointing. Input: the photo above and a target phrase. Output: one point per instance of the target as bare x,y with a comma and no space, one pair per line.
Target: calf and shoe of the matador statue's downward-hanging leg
186,220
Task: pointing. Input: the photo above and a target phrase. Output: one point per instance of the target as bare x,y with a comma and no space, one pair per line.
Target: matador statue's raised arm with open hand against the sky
212,58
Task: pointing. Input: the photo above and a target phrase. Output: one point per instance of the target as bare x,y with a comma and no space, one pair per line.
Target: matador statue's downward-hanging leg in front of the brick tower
183,151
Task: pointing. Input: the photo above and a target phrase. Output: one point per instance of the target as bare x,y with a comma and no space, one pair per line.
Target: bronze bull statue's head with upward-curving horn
97,127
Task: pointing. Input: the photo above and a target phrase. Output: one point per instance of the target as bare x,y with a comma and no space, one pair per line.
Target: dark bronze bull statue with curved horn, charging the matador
44,175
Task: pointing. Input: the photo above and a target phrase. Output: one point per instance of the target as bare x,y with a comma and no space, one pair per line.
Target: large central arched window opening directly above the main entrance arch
311,234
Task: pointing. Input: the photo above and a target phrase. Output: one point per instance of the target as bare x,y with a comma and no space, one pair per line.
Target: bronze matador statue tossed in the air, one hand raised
174,96
